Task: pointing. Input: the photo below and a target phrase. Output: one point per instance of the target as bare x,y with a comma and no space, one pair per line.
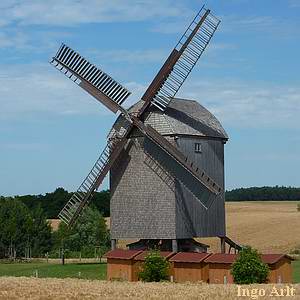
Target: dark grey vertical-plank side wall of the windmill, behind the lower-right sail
191,216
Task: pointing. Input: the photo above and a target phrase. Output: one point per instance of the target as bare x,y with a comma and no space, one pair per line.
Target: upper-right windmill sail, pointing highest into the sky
181,60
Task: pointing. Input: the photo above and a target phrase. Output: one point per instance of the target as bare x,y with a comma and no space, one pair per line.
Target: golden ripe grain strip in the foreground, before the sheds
71,289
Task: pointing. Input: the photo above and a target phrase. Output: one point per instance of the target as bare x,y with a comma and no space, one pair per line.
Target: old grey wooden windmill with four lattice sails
135,148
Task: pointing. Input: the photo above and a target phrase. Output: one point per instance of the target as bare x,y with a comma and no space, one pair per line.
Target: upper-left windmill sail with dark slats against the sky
89,77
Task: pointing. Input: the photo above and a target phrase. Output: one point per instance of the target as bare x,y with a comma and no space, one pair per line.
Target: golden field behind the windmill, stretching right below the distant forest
268,226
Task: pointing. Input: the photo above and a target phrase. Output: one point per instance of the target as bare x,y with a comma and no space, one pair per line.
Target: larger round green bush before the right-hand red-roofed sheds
249,268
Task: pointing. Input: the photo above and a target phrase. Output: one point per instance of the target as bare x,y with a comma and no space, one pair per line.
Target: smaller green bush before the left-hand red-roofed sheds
156,268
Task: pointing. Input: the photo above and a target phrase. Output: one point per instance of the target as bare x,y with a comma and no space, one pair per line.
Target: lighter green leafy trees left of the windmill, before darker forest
26,232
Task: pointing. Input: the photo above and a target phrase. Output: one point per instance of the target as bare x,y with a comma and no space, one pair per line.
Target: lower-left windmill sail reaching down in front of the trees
74,207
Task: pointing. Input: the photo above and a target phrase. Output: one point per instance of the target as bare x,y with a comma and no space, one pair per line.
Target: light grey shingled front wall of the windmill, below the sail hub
142,205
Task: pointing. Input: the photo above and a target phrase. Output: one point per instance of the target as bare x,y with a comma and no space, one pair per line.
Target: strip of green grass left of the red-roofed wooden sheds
87,271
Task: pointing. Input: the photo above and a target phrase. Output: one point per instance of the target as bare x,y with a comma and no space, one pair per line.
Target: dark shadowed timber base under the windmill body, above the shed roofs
180,245
